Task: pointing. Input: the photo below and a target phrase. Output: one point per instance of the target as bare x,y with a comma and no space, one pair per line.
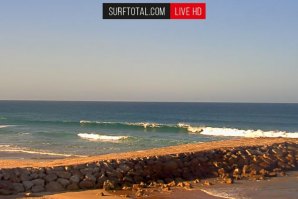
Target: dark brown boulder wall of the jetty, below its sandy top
226,164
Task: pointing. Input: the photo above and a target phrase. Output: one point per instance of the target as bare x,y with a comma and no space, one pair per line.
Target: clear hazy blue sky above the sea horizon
245,51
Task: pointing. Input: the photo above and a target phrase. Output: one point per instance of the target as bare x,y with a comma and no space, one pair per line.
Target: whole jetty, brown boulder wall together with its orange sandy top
161,169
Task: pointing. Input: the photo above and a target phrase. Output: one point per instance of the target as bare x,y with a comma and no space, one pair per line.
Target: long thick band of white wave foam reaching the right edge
245,133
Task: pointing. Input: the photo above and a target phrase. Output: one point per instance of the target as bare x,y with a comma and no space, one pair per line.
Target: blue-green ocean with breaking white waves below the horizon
89,128
